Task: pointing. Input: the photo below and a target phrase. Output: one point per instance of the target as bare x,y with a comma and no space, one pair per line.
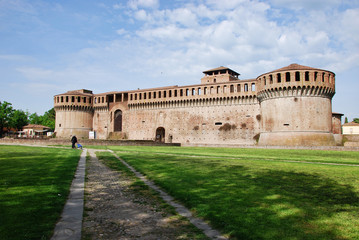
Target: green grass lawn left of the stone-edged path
34,185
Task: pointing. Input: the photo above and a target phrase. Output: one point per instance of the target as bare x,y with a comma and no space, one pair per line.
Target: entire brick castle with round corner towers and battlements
290,106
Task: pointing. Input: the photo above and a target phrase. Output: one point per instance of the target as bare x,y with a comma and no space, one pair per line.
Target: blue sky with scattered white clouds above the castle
48,47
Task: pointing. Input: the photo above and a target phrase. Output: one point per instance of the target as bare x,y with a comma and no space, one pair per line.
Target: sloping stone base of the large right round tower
296,139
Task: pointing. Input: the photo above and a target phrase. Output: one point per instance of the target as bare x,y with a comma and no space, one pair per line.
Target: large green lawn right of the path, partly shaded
258,193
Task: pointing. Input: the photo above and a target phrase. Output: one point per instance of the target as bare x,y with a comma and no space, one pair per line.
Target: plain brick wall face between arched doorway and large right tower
230,124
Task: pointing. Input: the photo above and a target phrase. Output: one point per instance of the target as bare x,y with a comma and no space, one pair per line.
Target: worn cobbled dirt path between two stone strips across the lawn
114,211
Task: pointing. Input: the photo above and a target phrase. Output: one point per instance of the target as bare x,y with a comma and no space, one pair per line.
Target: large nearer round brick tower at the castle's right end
296,108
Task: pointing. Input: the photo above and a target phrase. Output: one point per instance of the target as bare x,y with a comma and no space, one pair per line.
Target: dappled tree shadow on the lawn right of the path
249,203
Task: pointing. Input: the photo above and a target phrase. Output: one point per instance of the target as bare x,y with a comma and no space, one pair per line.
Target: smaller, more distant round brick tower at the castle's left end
74,113
